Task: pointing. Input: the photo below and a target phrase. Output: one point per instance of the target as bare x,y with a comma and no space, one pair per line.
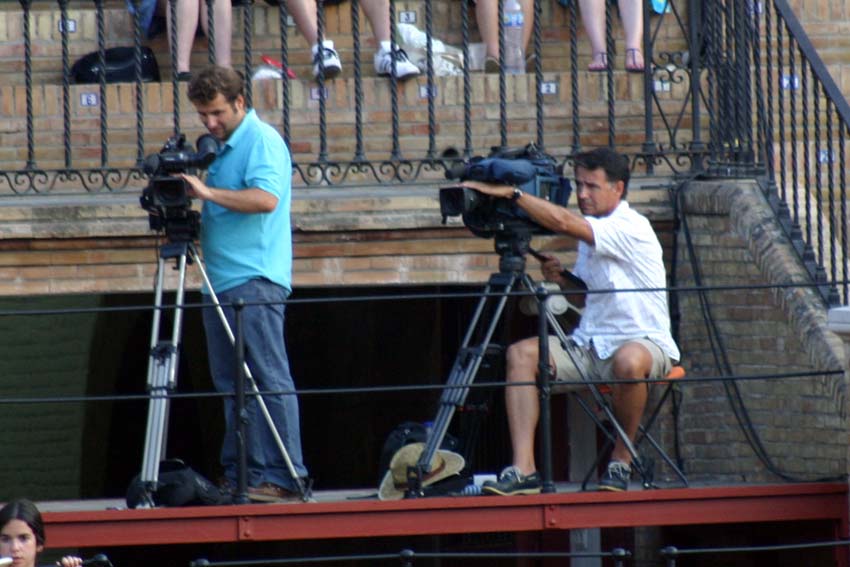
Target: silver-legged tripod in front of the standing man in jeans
162,373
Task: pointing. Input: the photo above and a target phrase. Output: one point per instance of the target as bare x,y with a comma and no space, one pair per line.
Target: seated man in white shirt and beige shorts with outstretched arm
621,336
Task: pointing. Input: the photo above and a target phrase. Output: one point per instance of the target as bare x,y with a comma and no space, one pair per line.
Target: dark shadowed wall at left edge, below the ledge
43,356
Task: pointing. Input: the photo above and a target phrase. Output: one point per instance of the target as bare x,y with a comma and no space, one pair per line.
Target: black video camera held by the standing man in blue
166,197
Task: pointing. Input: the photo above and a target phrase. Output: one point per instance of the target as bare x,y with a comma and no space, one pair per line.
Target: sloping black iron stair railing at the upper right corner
775,111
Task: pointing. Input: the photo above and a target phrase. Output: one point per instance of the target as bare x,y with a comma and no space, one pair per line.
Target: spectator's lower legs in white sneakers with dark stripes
378,14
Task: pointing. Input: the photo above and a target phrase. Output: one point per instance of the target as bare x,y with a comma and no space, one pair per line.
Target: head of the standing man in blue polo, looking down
217,93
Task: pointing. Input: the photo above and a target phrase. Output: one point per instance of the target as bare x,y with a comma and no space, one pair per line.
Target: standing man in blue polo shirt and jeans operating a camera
247,248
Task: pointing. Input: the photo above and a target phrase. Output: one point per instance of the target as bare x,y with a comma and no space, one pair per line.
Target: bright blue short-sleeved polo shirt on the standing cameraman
238,247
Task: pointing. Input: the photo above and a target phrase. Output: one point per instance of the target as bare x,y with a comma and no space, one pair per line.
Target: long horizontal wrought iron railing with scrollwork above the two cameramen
666,139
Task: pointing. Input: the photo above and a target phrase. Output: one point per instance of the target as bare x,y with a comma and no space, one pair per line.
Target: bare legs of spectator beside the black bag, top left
190,13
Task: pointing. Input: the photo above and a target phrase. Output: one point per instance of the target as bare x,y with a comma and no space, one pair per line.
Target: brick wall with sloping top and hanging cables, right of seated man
802,422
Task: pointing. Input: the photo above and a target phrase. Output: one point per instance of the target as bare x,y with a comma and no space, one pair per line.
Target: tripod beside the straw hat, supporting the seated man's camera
511,276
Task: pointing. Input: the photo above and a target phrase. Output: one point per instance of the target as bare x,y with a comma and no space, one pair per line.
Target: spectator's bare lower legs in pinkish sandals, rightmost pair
593,15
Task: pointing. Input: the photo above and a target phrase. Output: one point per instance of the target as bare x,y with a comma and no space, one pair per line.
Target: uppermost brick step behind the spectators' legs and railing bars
118,31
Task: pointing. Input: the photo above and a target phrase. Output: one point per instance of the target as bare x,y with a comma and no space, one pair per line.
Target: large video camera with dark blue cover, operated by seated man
528,168
